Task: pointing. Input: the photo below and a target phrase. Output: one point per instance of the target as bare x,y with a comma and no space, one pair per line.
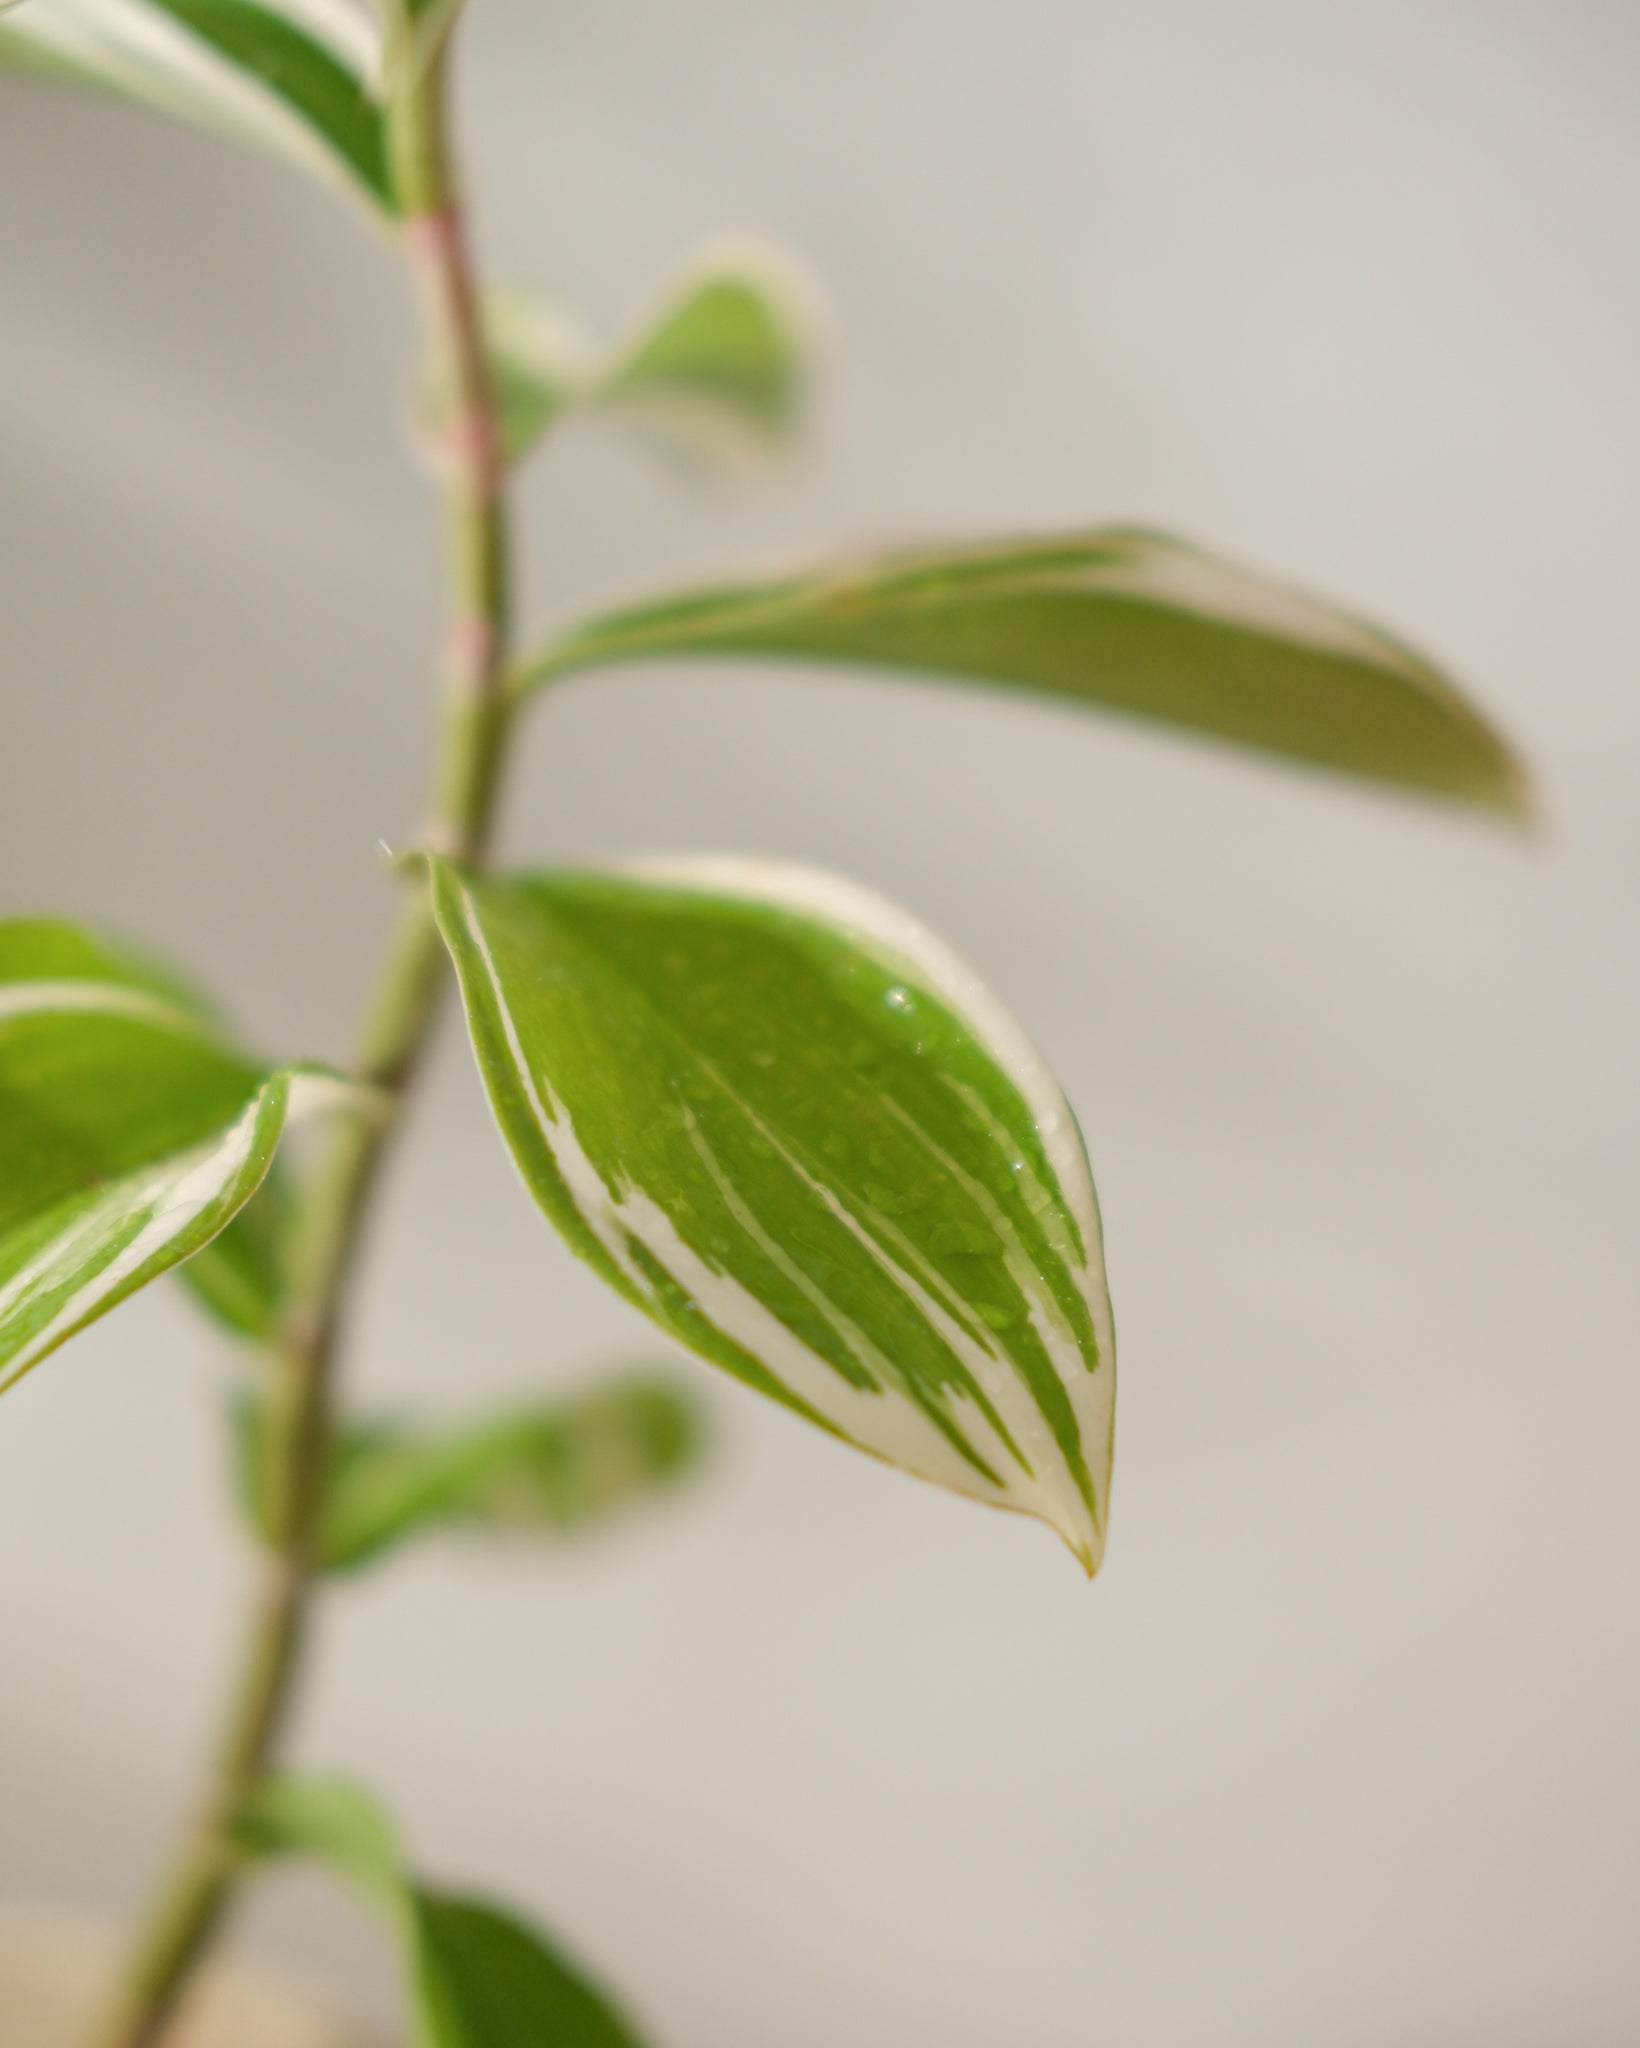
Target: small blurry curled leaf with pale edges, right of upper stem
716,378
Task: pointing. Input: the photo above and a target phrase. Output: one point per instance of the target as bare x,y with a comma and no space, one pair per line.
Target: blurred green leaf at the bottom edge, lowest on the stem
474,1975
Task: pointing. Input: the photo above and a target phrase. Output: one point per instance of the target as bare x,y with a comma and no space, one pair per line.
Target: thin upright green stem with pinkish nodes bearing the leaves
337,1201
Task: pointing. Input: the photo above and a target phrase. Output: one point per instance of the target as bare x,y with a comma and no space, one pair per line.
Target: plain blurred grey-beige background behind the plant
1340,1748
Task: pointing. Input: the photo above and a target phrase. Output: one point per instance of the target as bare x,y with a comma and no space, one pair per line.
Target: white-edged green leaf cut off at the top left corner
290,77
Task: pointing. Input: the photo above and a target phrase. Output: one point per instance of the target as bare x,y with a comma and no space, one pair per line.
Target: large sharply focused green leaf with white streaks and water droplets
797,1132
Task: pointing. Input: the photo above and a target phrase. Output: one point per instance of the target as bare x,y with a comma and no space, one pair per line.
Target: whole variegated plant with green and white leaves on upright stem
767,1107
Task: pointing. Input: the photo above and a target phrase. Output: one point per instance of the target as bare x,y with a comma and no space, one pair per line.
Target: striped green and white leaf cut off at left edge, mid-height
130,1132
